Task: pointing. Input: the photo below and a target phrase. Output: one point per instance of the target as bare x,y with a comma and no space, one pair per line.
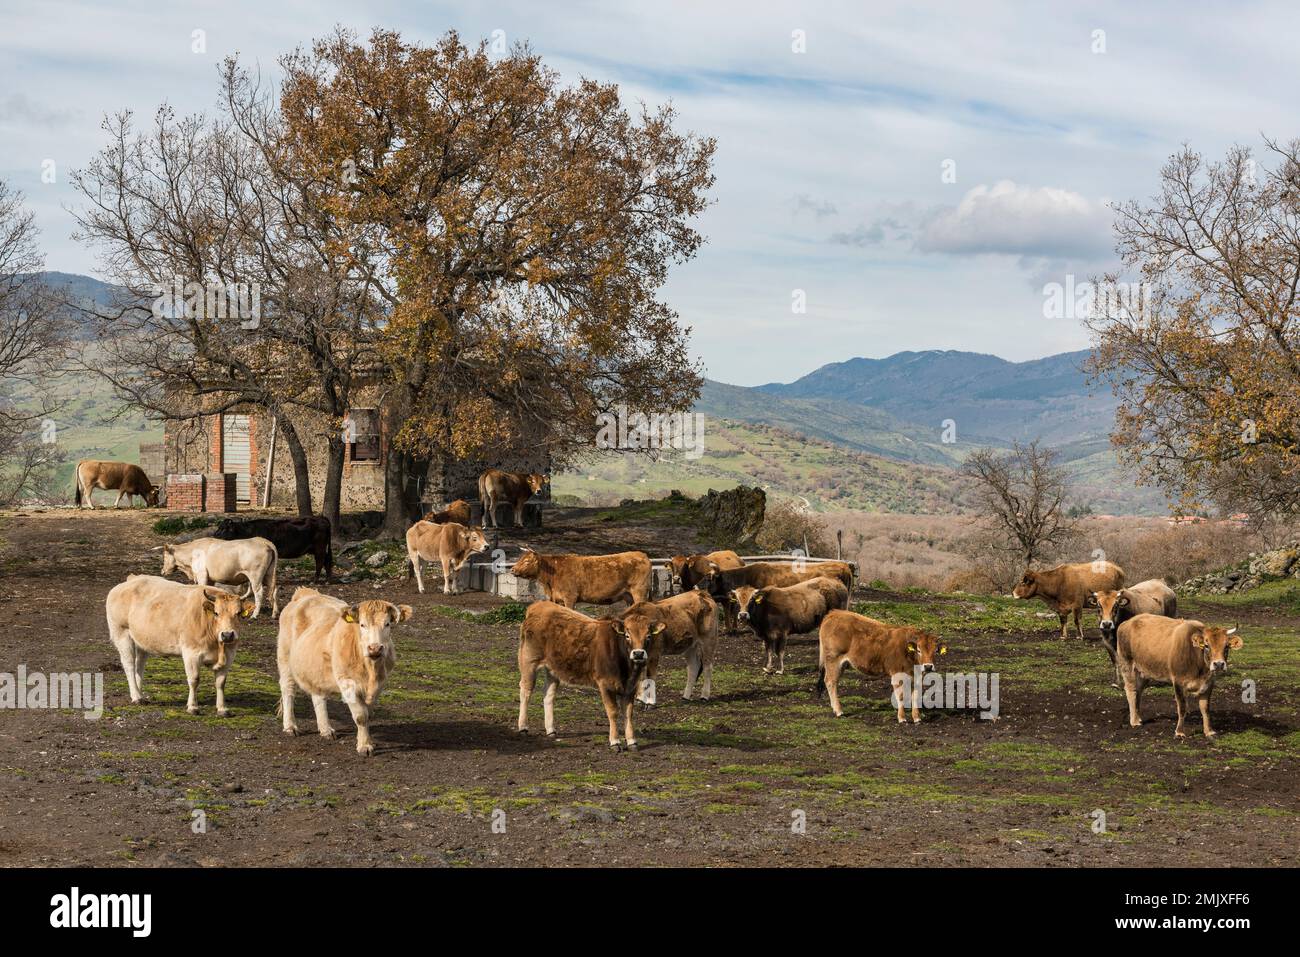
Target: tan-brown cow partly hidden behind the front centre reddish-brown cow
691,622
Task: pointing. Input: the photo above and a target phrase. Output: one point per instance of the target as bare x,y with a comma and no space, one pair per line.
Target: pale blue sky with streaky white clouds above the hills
912,175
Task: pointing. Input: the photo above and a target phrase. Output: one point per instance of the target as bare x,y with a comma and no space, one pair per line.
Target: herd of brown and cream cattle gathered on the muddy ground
331,648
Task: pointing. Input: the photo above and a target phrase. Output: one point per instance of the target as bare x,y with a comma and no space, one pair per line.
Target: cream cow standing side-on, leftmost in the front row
151,616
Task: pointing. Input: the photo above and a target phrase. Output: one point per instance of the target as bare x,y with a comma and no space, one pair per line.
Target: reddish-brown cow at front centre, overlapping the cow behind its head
586,652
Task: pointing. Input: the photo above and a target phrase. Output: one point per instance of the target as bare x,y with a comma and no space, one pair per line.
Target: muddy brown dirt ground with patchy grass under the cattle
762,774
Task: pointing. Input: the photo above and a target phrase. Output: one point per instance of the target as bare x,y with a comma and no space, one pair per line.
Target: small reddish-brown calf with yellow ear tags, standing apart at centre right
874,648
